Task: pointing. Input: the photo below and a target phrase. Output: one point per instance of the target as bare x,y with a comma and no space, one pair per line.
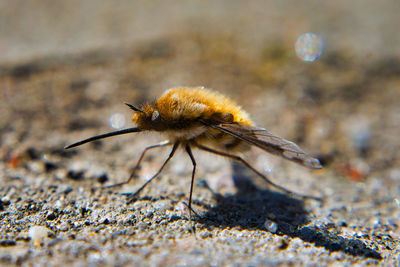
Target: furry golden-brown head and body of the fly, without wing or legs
180,113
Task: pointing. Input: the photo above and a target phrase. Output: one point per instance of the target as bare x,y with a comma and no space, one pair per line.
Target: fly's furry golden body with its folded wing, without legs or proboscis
198,115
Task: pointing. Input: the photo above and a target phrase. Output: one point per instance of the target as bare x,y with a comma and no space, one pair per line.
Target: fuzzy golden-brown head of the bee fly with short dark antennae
147,118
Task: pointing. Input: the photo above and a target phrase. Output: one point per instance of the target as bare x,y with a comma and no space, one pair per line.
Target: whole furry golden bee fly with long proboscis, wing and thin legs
205,119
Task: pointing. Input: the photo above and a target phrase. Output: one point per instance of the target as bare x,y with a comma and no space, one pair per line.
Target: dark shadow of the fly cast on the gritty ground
251,207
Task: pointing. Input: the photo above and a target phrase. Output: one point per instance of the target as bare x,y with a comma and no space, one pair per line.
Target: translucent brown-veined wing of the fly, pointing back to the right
271,143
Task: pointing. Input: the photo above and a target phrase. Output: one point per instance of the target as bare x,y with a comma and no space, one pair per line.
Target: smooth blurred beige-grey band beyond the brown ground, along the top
41,28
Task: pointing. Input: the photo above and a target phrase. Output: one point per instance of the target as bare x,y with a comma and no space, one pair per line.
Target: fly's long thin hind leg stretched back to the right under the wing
245,163
